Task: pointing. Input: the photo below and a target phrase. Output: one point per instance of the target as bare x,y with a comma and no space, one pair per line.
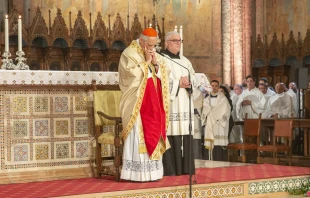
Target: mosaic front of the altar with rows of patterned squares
45,128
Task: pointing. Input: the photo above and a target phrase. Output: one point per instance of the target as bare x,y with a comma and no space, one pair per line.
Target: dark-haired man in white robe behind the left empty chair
251,102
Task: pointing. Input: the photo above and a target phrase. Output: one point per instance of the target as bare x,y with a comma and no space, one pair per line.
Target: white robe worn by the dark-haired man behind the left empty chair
257,103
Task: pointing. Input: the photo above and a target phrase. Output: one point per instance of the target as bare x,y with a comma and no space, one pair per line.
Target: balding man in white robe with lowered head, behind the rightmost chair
280,104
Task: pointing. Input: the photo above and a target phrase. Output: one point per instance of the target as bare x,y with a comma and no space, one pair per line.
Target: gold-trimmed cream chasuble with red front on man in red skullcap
145,96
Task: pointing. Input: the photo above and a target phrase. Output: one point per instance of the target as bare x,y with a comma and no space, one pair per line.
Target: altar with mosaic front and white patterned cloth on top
46,123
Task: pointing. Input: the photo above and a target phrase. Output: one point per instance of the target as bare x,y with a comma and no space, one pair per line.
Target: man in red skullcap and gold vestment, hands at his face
144,105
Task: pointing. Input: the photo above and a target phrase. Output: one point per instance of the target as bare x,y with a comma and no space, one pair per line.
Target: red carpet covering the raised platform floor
93,185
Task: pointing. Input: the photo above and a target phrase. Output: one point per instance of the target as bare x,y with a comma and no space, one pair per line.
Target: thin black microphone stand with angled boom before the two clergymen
190,91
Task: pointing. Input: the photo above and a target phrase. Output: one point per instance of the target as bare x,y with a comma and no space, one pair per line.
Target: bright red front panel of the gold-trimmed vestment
153,115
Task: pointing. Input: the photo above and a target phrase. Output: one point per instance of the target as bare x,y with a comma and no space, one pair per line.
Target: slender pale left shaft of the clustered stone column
226,4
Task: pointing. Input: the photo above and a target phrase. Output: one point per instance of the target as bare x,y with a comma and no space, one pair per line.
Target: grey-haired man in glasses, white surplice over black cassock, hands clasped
176,160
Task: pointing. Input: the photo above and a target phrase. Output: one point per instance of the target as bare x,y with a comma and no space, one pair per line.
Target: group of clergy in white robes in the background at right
214,108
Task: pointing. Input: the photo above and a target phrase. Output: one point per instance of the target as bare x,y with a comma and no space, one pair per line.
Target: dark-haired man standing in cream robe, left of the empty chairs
215,116
